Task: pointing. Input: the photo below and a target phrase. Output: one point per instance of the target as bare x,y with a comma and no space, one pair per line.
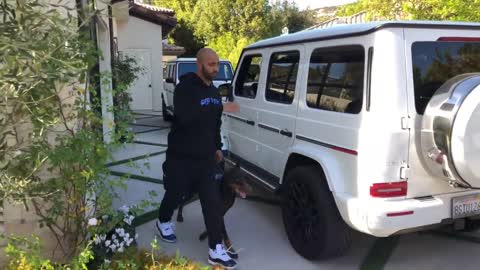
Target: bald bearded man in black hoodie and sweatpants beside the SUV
194,149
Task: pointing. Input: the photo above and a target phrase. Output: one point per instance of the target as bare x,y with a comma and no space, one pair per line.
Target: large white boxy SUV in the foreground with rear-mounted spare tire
370,126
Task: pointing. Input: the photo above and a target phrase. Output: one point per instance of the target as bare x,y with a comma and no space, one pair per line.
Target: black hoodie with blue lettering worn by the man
195,132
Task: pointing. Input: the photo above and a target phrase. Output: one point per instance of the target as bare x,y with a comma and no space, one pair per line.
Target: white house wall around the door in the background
138,34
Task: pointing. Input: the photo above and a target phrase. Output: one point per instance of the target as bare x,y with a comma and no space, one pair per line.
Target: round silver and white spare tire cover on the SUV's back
450,134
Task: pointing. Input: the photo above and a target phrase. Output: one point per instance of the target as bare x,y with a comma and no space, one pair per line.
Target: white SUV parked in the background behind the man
174,71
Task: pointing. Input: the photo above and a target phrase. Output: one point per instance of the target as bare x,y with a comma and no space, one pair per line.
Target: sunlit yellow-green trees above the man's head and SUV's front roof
228,26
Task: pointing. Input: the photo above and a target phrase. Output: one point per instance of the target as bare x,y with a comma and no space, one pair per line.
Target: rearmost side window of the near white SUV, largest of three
335,79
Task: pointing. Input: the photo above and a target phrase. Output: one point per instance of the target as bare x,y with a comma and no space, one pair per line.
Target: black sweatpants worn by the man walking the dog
184,177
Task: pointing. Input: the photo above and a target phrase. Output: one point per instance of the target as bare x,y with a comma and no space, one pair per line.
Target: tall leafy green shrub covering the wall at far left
52,153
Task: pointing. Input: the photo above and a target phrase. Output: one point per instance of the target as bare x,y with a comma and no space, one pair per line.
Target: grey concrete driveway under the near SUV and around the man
256,228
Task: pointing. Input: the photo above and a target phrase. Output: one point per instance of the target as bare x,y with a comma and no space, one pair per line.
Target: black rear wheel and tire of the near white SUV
312,221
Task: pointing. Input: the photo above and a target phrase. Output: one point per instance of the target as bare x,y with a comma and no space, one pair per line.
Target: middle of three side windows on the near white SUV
282,77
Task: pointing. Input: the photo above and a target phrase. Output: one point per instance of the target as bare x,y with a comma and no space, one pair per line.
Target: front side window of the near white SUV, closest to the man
248,75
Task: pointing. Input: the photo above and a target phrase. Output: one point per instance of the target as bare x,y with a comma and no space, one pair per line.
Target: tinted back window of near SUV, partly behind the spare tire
436,62
